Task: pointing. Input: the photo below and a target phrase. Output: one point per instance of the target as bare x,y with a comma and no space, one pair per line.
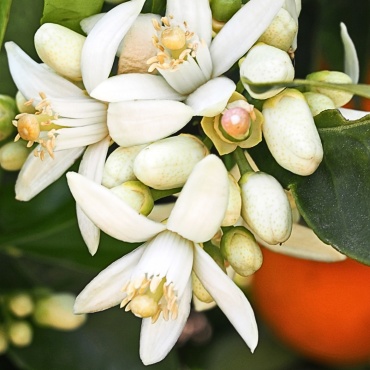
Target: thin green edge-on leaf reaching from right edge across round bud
356,89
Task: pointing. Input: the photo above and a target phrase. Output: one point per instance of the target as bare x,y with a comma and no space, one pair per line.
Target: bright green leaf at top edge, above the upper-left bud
69,13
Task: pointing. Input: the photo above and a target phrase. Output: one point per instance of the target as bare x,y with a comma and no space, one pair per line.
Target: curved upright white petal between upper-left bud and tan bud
102,42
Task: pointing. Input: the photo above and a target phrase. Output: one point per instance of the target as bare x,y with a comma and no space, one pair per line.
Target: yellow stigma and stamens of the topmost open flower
174,44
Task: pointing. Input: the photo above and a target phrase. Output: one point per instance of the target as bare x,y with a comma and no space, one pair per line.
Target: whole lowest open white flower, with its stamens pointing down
154,281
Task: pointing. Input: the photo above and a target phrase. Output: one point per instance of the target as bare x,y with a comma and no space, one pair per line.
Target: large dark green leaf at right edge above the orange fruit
335,199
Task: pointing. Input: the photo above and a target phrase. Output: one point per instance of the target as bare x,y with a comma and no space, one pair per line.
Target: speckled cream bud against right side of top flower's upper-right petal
281,32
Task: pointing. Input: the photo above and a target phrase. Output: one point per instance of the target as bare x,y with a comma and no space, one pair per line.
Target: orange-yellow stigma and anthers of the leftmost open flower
33,127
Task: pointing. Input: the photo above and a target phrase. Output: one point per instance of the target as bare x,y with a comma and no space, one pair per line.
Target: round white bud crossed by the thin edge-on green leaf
262,64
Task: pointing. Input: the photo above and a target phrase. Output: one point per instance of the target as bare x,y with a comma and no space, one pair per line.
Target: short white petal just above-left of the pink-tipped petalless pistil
210,99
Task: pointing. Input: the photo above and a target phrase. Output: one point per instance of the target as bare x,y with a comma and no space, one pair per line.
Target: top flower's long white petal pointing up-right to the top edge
241,32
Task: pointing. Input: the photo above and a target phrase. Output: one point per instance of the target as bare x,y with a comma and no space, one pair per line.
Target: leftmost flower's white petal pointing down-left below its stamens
36,175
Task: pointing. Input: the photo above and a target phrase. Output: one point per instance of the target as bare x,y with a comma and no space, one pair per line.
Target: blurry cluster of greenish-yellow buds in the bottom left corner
23,310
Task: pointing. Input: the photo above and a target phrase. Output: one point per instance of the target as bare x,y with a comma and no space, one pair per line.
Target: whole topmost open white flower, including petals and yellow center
152,104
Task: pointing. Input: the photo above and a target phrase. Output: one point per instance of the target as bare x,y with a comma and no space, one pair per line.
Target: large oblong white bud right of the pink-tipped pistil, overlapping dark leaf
291,134
